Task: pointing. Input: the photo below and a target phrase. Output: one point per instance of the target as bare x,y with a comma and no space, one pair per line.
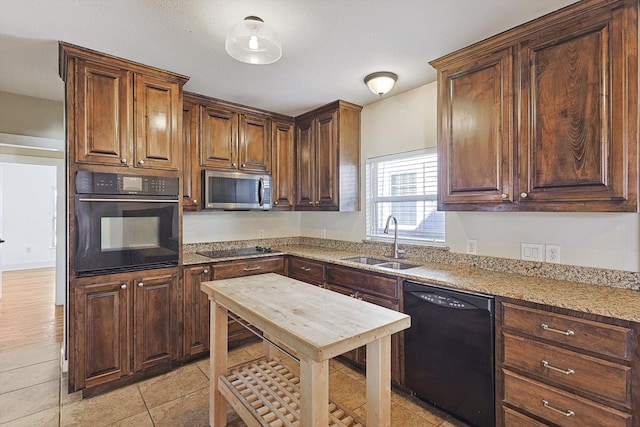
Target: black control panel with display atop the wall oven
112,183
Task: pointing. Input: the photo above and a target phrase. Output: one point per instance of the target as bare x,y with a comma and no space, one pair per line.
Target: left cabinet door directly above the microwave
218,138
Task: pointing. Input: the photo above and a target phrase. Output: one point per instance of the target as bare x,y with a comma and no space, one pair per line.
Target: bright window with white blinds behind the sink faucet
405,186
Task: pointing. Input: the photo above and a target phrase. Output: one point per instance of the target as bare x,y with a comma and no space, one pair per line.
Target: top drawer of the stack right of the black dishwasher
599,337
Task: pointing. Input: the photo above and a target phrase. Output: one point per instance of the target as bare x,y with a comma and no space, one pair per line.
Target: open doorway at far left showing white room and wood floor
32,259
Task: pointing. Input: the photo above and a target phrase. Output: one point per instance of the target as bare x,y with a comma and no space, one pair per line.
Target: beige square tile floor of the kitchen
33,393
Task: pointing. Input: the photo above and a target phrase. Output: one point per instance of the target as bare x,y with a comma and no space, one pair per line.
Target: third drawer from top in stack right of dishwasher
557,406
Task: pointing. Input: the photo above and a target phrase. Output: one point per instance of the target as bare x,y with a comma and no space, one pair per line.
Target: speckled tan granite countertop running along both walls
597,299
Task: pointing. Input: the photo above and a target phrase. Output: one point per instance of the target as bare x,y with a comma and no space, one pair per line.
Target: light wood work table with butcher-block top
317,324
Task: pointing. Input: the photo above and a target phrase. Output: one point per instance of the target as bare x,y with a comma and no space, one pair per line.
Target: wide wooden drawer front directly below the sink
366,282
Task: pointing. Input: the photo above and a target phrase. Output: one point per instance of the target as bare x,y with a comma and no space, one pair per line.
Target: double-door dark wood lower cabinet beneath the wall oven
121,324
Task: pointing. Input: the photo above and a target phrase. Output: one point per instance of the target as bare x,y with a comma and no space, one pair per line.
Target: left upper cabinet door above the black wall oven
103,133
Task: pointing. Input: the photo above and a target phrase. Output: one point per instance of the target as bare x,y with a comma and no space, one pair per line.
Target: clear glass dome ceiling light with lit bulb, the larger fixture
254,42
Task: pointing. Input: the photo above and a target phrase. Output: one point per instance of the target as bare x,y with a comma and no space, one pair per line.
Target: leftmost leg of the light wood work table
217,365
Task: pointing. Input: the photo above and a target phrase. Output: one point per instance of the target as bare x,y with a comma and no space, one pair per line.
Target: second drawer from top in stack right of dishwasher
588,374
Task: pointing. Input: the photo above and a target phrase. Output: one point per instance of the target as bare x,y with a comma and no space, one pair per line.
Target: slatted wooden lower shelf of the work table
266,394
